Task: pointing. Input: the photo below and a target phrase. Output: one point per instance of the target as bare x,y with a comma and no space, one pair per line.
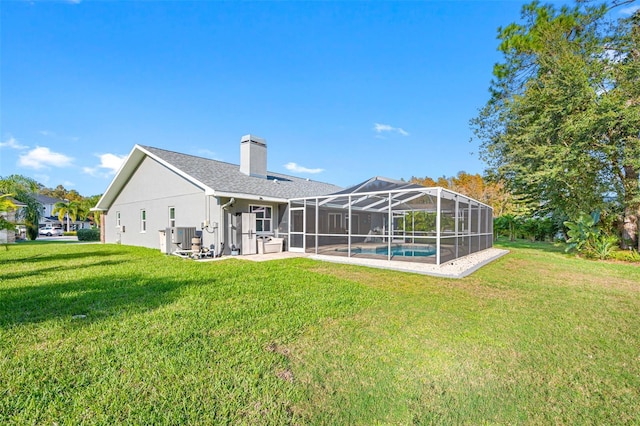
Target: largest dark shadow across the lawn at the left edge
97,298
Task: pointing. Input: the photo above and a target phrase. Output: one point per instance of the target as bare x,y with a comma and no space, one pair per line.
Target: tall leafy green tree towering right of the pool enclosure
561,126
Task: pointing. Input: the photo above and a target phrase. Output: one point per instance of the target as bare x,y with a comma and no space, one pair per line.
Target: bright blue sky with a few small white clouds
341,91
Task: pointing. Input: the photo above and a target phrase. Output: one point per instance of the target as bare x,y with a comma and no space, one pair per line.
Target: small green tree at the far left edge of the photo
24,190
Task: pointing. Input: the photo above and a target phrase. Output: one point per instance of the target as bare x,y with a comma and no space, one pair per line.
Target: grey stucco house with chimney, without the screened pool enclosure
156,189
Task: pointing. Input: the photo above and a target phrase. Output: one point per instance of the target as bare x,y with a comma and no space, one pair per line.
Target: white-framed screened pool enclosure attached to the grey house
391,220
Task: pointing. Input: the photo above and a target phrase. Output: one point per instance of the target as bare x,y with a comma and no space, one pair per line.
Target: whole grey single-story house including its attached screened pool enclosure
171,201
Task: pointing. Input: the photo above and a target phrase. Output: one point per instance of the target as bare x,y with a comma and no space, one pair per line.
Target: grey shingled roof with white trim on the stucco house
217,178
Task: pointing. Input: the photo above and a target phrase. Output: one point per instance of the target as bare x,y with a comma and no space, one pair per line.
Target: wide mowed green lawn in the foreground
535,337
